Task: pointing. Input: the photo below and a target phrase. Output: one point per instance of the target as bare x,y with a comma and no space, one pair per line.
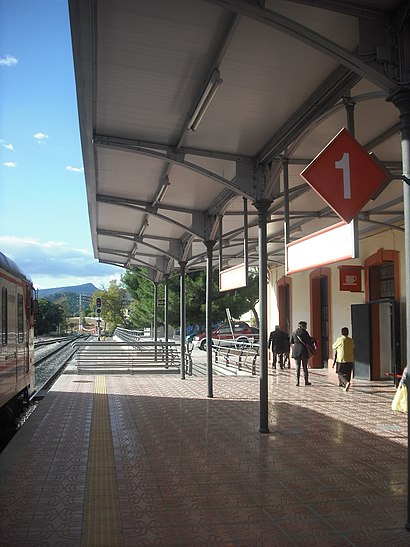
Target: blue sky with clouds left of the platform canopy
44,223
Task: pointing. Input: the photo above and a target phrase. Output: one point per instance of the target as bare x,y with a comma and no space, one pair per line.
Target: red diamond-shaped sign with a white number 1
345,175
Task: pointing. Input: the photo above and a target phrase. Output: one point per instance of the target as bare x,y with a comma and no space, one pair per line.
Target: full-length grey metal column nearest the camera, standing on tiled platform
262,207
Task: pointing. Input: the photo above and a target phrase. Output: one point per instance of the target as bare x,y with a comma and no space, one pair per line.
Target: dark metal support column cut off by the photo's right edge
402,101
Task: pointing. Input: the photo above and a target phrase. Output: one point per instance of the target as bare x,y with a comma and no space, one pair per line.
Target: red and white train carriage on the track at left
17,307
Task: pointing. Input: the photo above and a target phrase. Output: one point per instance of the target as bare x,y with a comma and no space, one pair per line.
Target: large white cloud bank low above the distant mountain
53,264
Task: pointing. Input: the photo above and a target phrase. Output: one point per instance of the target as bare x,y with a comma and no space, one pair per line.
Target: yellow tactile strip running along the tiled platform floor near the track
101,521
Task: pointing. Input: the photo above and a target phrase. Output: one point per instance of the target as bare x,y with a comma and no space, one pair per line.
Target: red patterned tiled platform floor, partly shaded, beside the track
132,460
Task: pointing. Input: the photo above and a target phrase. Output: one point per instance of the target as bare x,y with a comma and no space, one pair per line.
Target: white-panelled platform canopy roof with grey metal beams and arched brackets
166,172
